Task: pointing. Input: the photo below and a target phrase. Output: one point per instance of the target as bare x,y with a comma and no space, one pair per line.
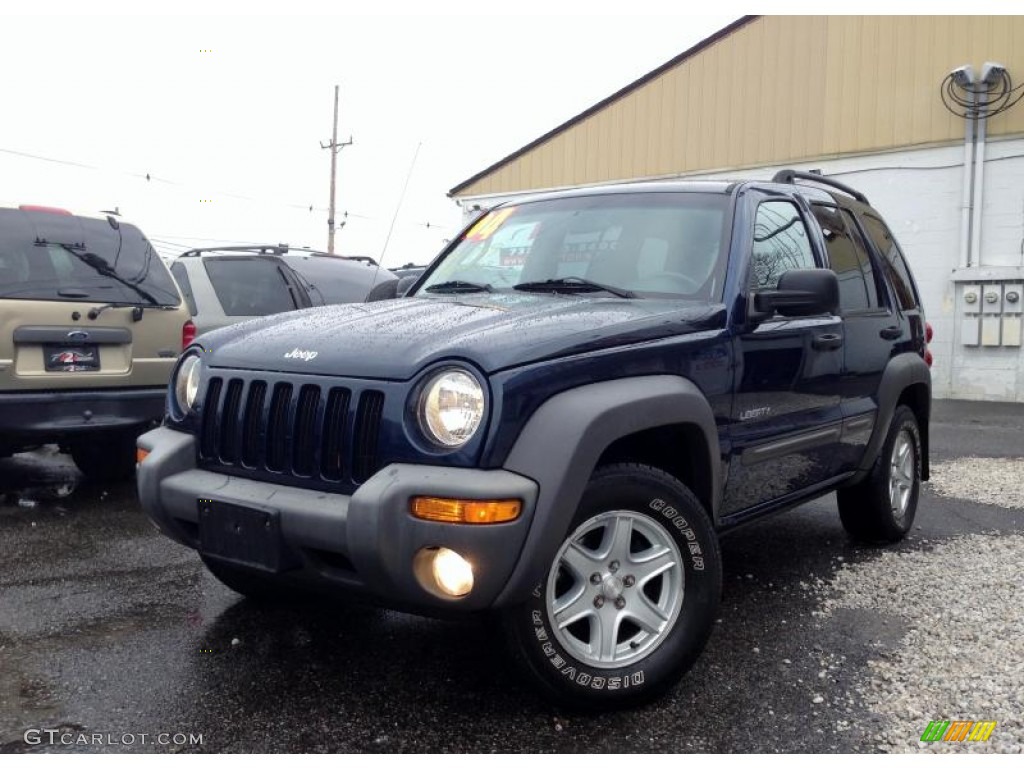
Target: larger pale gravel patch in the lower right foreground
963,655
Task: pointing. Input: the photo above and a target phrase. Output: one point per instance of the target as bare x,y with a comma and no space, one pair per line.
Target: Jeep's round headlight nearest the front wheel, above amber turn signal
452,408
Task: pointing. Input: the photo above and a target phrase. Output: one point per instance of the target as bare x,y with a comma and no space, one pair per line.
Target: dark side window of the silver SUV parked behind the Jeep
249,287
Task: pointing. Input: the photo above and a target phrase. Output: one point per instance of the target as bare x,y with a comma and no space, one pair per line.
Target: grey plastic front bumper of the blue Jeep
363,543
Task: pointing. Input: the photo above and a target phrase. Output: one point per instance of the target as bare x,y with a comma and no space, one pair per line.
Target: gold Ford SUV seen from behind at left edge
92,323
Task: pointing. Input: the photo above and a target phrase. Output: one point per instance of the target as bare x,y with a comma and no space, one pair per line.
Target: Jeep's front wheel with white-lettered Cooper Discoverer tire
665,513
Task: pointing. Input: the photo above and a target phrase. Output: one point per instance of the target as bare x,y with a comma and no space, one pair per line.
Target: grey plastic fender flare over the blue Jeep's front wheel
561,445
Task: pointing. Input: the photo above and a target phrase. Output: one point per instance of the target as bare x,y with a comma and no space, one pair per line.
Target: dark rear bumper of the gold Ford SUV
51,416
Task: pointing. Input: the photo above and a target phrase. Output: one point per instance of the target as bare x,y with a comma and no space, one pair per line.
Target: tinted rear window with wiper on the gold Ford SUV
60,258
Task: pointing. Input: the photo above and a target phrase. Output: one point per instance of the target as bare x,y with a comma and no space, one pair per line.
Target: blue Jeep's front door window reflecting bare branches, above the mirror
781,244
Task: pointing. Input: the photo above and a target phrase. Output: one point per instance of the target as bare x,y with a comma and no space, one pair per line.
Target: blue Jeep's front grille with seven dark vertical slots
285,432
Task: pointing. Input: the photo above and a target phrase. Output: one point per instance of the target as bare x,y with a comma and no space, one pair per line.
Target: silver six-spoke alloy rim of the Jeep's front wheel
616,589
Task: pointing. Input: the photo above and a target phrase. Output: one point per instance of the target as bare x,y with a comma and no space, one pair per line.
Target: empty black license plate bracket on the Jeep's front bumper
242,535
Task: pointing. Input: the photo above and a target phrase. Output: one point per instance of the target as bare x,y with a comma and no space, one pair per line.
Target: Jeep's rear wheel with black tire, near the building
867,509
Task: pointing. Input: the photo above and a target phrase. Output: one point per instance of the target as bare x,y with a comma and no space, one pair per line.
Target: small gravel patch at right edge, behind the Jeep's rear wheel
998,482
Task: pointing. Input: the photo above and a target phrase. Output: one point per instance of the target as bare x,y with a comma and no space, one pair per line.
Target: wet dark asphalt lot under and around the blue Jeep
109,629
